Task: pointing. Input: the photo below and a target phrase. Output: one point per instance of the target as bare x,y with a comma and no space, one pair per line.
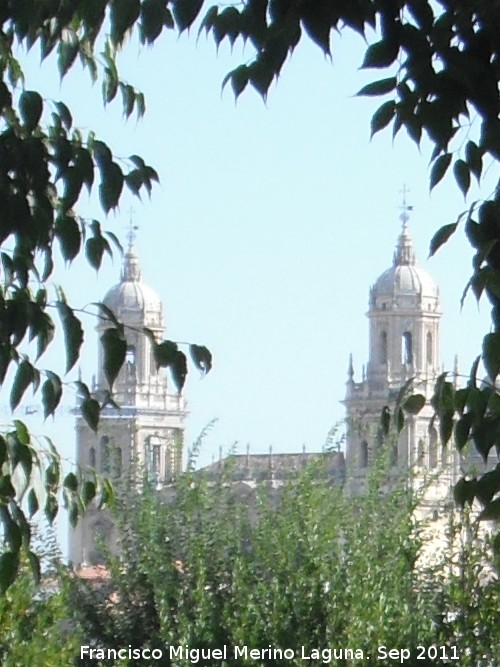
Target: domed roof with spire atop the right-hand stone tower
405,277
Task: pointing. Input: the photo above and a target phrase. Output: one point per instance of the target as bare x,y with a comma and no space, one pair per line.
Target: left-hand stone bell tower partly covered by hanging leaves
144,437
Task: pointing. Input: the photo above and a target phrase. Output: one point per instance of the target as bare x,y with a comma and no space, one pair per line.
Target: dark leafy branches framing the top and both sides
443,62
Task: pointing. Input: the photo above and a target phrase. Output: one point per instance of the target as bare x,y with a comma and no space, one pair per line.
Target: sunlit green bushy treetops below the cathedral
304,566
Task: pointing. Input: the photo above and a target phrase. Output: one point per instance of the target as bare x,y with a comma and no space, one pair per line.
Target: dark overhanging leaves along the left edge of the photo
45,165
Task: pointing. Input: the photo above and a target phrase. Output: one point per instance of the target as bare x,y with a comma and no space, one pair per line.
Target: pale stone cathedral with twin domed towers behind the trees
147,431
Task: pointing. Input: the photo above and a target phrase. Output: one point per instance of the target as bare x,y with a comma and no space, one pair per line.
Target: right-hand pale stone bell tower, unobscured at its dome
404,316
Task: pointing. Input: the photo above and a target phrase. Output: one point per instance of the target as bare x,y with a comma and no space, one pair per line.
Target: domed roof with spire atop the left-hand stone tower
131,294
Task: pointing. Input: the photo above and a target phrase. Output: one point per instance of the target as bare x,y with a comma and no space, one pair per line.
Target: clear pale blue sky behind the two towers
270,224
